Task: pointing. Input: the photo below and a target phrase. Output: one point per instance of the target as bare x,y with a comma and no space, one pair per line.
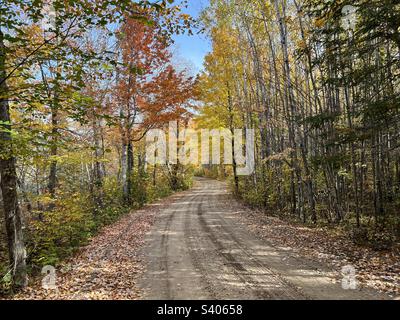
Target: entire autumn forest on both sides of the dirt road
83,82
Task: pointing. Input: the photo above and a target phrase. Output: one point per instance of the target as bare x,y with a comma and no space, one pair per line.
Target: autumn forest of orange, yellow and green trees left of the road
79,90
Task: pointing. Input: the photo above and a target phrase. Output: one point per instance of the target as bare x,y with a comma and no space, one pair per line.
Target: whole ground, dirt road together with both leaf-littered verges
203,244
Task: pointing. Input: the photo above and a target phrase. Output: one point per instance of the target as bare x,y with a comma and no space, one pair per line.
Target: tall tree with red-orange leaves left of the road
149,92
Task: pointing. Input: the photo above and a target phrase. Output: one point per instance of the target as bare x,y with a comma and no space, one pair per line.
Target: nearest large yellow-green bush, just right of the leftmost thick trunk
57,233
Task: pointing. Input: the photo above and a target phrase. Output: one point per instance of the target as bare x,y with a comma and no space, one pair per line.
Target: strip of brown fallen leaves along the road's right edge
379,270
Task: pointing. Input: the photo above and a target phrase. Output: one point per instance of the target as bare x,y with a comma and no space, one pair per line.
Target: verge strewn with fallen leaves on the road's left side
106,269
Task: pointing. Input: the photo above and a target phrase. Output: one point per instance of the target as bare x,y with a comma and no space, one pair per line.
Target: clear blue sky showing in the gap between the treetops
191,50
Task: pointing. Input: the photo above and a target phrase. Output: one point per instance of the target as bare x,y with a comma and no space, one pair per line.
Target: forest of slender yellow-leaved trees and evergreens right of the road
322,93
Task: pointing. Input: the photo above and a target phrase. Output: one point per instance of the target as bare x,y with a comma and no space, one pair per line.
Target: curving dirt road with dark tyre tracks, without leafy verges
197,249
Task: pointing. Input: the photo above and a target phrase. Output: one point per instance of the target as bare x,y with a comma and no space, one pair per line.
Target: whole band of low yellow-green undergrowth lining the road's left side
75,217
